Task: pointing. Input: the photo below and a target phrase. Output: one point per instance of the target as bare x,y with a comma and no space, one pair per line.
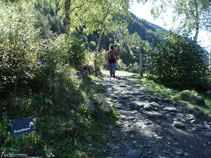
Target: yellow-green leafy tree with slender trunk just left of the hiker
95,15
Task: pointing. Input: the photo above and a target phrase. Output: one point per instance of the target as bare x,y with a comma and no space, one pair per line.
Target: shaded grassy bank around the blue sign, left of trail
53,113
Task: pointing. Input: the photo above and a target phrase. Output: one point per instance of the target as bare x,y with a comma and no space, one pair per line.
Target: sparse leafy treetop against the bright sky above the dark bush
188,12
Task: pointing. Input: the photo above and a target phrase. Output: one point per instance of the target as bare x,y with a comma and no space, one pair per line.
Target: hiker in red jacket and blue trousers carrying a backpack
112,59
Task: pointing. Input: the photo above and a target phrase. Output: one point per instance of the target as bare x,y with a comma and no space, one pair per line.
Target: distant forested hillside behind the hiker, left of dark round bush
129,46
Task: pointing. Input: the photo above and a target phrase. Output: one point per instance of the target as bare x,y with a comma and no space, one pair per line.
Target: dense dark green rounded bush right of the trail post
177,61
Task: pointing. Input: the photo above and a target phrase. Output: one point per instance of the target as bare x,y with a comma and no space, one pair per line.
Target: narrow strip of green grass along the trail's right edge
172,95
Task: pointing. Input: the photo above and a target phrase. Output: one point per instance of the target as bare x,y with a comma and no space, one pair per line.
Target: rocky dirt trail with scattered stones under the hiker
153,129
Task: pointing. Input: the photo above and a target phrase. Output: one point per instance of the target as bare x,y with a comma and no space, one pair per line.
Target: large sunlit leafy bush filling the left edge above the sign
27,61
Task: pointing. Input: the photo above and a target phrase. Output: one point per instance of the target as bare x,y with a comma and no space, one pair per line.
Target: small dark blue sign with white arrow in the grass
22,126
